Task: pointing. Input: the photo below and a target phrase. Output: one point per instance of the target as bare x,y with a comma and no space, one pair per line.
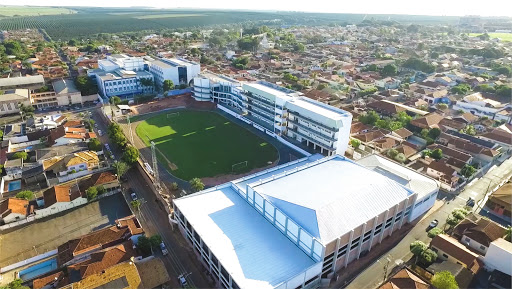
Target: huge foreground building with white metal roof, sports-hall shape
295,225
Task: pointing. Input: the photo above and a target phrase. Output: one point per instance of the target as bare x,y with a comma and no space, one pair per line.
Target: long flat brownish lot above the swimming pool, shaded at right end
47,234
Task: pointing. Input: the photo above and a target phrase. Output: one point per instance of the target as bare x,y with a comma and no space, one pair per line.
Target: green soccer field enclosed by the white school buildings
204,144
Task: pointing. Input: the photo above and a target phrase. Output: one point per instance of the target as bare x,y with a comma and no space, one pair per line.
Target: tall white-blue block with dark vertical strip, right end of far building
179,70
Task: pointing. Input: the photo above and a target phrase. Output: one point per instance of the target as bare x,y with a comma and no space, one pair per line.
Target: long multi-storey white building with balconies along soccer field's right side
279,111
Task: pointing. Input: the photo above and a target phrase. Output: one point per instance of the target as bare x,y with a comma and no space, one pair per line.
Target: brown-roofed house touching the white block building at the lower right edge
478,233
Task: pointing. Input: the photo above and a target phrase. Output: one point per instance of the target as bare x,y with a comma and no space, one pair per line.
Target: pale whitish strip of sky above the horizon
429,7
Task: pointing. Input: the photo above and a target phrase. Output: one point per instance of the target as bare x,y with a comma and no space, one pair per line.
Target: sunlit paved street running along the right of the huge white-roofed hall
373,275
